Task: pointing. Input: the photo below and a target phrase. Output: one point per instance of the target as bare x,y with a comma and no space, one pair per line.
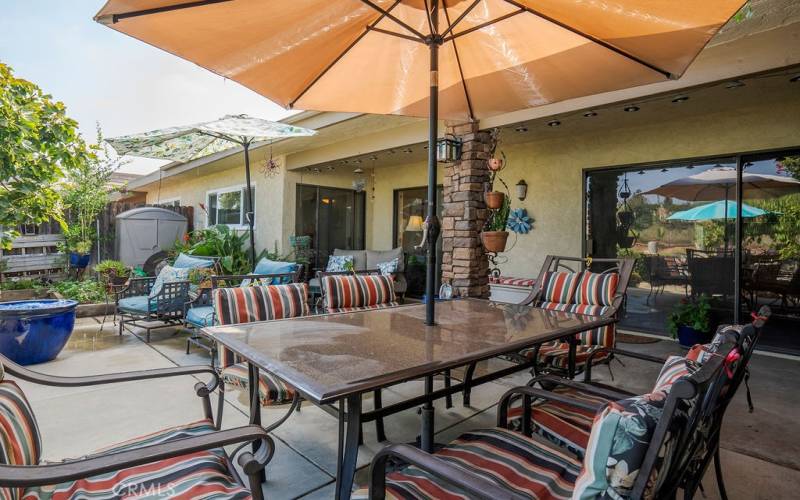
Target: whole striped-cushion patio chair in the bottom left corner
186,461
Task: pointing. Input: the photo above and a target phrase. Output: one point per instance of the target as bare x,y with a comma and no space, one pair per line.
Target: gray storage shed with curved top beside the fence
141,232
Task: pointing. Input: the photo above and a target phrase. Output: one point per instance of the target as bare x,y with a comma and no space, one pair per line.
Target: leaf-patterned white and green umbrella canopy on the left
189,142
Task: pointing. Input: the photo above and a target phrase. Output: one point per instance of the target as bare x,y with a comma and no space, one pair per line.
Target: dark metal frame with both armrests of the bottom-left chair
252,462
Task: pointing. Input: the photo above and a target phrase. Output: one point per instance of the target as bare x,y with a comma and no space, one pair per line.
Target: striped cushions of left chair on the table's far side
257,303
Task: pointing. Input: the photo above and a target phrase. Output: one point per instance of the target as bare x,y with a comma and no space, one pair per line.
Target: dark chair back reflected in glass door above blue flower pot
710,272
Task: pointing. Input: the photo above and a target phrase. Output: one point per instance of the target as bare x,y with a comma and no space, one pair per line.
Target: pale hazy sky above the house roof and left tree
105,77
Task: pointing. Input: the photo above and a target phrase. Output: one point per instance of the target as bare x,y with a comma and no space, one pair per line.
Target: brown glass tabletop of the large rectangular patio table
328,357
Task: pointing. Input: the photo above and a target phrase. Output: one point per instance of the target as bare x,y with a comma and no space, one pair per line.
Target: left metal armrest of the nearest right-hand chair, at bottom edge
475,486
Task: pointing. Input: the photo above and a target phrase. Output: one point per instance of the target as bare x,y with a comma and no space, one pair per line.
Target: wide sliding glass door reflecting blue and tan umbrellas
682,223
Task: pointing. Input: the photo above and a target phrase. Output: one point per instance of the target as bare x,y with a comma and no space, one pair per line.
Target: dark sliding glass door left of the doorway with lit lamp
332,217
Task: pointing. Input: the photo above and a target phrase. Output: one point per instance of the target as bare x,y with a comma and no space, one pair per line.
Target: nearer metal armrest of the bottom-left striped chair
40,475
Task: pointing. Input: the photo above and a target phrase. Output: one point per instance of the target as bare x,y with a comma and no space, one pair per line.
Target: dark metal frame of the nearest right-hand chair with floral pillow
705,385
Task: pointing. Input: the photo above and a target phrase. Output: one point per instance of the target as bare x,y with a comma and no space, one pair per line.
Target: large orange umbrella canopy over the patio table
496,56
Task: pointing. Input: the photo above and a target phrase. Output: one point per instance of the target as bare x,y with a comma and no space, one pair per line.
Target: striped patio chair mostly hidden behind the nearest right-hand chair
571,427
